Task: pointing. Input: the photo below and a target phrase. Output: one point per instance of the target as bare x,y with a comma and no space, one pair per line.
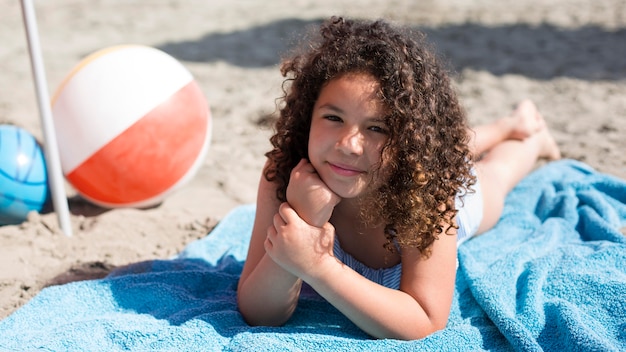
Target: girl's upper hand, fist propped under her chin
309,196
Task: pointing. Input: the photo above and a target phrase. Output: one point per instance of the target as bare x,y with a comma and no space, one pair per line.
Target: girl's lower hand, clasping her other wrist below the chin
297,246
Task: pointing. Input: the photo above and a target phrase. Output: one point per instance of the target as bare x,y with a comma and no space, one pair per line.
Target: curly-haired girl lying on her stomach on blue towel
373,180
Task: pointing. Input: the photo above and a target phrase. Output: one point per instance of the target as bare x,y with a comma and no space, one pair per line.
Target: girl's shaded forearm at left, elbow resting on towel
269,295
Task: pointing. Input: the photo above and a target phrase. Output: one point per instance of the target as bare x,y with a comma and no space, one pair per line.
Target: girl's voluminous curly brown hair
426,156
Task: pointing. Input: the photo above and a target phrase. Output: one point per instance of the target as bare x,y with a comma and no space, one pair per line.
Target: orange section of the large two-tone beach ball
149,157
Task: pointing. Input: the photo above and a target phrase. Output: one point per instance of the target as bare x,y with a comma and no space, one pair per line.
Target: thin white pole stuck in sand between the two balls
55,174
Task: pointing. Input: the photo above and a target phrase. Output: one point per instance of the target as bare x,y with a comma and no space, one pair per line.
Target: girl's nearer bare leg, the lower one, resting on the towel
506,163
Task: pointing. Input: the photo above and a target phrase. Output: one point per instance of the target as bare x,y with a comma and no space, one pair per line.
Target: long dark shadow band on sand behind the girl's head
541,52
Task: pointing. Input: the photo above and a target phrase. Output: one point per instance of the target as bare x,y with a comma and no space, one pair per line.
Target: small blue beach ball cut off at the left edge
23,175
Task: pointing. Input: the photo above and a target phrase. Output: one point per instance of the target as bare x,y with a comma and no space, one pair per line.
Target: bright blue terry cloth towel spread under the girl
550,276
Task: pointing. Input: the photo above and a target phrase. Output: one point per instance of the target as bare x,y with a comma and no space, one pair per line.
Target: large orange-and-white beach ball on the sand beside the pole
132,126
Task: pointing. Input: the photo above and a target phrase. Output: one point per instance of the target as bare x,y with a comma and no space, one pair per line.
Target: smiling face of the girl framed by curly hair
348,134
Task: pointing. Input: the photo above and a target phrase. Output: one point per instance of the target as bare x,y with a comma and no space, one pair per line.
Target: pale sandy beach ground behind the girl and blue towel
566,55
